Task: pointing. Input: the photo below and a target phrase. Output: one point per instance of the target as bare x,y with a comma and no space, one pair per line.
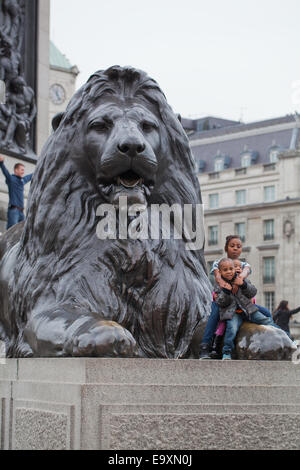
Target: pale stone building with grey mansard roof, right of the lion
250,183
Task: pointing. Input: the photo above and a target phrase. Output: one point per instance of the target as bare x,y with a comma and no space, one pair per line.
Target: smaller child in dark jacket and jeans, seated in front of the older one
238,307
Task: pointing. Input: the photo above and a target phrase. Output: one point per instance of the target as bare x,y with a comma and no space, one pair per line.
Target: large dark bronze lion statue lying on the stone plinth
64,291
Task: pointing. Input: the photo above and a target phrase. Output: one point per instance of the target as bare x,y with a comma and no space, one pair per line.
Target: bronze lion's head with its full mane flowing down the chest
118,136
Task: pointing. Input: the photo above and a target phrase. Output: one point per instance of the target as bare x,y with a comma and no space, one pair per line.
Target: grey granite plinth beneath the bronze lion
124,404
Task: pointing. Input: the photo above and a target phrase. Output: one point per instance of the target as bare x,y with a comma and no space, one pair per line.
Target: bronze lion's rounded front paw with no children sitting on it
103,339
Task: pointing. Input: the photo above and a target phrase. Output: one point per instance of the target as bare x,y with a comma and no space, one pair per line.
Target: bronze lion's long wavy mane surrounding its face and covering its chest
60,233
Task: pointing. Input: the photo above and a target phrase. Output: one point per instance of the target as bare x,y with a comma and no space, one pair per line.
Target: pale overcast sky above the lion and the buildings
226,58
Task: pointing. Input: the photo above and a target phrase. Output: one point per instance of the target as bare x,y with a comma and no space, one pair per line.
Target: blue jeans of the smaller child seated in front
232,327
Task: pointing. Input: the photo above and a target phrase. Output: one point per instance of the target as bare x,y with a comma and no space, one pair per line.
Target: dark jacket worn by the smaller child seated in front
229,302
